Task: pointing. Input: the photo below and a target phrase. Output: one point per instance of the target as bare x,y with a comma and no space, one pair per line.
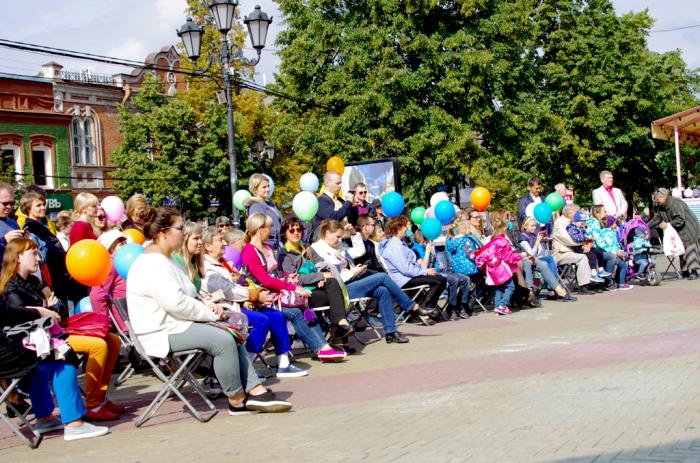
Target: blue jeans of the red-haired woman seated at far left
64,379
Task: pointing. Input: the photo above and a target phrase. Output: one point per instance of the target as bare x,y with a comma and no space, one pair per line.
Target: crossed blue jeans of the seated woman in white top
381,287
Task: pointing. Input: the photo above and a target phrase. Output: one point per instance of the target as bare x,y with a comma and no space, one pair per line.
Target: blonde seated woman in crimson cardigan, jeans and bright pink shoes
262,266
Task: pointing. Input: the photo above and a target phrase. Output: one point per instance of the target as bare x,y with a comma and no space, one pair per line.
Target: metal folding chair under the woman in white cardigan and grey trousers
183,364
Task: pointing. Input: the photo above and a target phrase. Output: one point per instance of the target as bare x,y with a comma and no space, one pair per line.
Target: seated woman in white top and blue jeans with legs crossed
328,253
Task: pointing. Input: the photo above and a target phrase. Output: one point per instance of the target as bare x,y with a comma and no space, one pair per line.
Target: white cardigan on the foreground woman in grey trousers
162,301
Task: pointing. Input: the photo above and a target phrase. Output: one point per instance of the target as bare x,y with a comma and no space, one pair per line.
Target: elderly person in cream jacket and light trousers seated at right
563,249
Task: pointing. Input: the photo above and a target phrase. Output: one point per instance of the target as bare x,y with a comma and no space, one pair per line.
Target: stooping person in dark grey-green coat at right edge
675,211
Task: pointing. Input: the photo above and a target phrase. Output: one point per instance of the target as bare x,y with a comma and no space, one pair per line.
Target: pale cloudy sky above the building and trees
131,29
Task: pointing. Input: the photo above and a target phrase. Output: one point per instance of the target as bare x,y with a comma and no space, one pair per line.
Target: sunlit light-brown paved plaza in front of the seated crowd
614,377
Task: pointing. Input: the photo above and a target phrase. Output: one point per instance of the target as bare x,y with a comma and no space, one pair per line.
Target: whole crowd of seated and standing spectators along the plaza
186,280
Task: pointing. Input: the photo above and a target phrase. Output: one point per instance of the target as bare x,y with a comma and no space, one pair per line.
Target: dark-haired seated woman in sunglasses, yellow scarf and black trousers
325,290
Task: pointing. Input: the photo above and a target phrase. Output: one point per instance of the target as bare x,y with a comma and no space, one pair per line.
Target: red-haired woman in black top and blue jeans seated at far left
23,301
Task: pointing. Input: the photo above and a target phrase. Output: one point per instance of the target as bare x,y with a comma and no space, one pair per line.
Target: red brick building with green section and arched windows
60,129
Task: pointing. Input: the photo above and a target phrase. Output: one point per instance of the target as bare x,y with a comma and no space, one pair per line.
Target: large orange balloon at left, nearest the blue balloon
88,262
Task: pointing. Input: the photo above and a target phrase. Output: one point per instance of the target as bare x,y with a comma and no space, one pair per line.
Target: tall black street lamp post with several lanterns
223,12
